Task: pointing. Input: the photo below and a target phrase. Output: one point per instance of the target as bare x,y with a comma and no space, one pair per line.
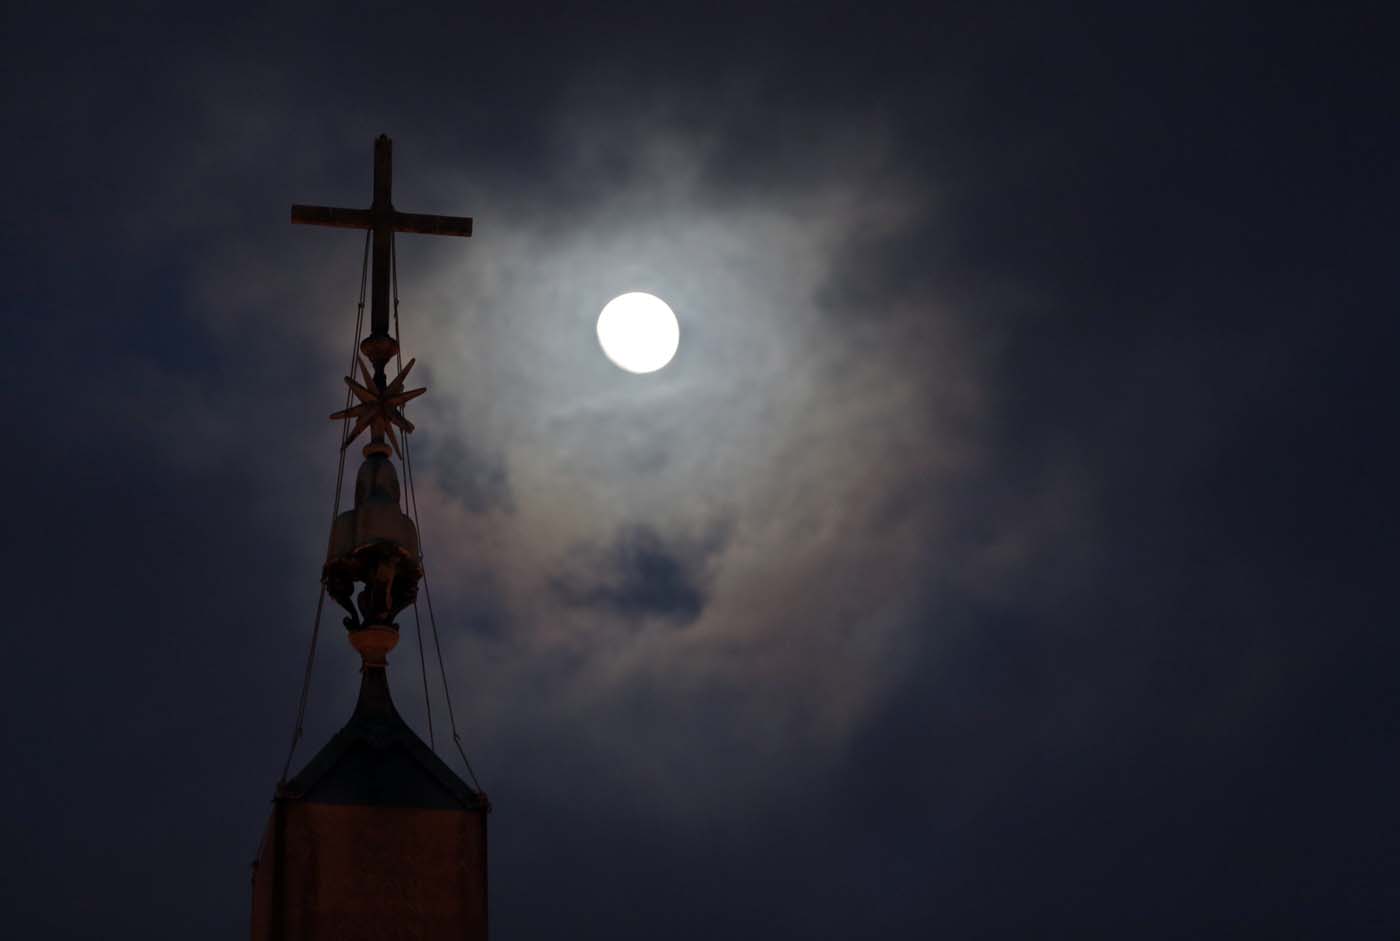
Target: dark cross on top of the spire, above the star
383,221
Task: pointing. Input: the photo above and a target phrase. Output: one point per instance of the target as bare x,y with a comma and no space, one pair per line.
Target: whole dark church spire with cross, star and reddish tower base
376,838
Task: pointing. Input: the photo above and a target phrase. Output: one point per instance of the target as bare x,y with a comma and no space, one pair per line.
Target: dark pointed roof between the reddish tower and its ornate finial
379,761
